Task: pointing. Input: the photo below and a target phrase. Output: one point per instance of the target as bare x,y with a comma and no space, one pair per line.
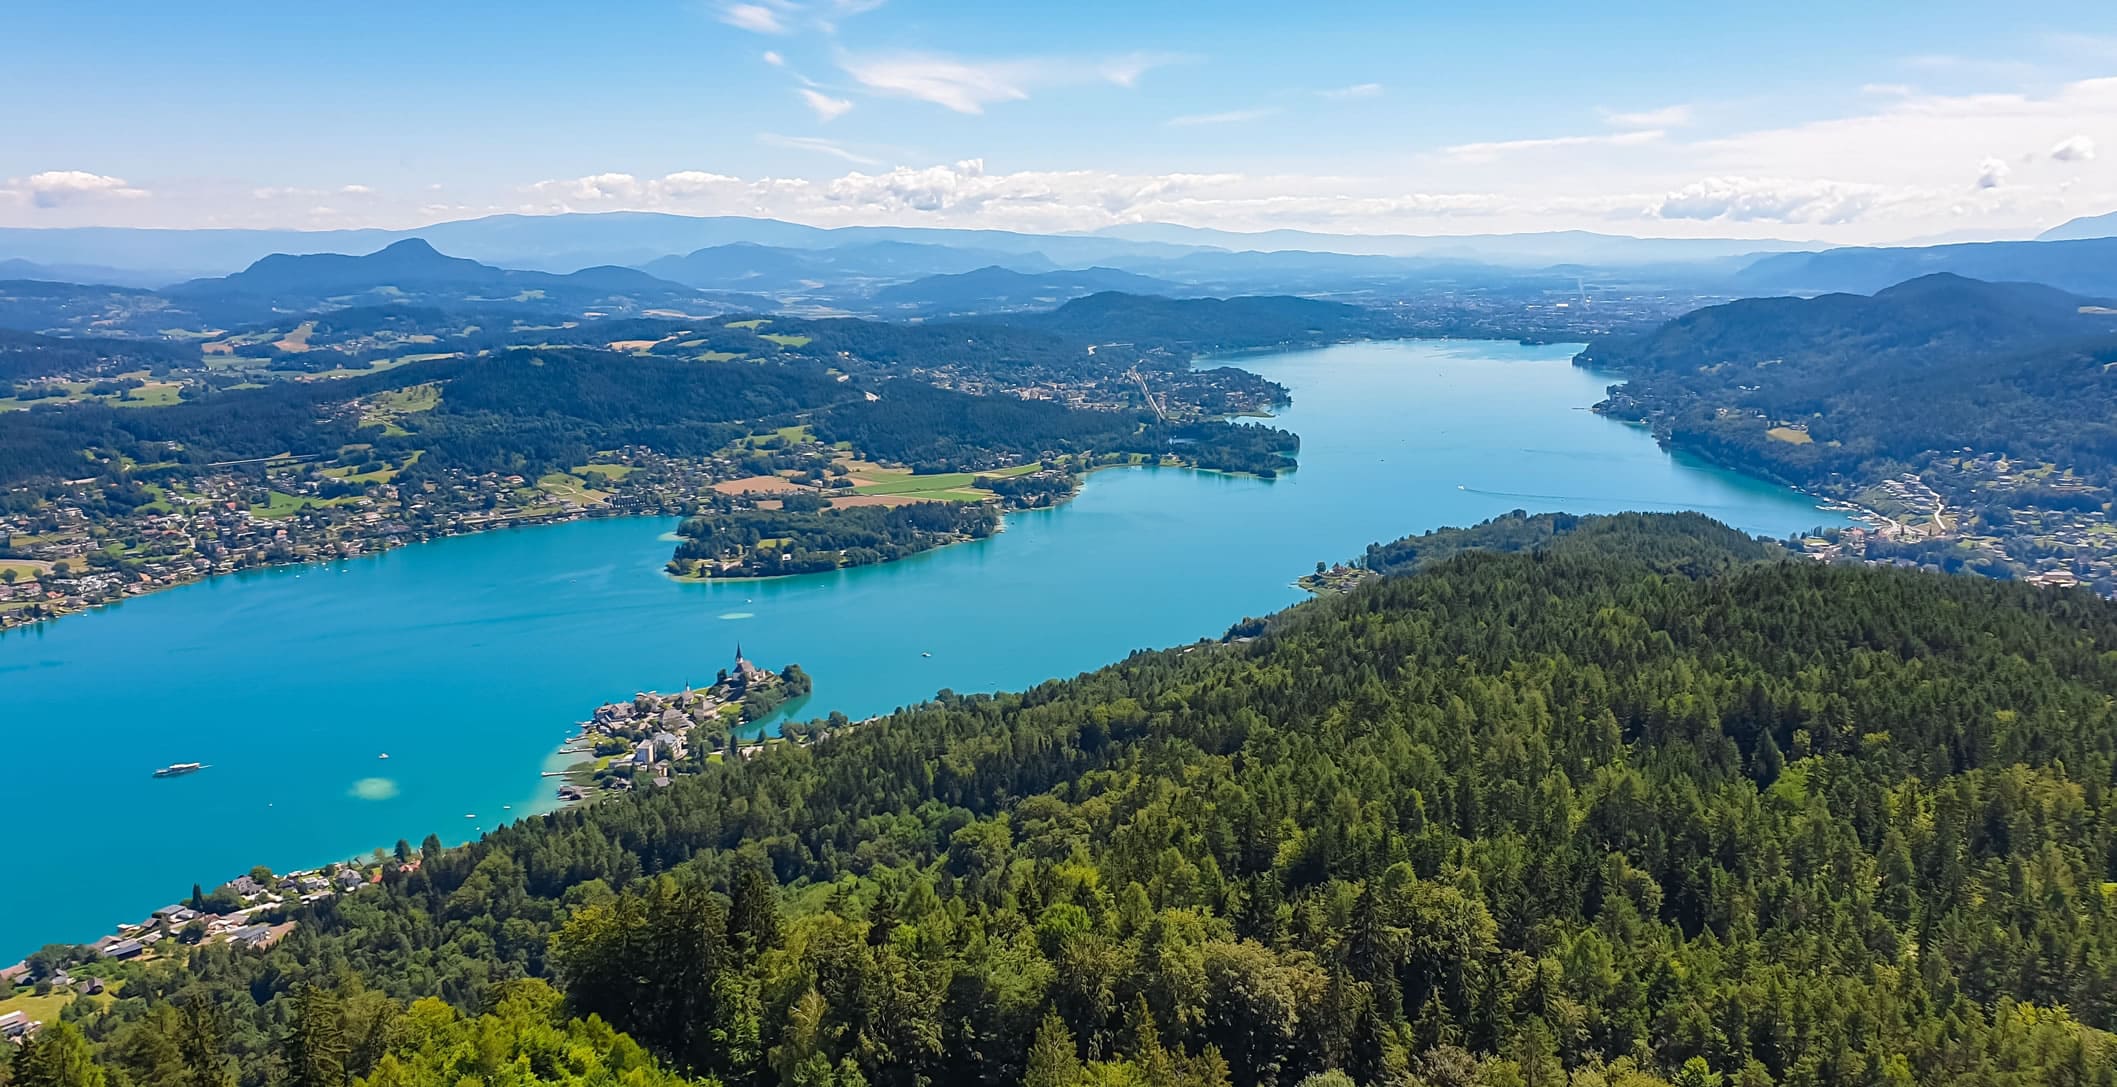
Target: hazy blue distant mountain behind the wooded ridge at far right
2080,266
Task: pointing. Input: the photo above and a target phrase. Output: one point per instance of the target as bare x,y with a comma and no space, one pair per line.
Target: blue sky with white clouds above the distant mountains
1817,122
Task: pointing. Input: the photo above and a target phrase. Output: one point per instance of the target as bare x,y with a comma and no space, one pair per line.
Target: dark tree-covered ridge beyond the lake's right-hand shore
1843,389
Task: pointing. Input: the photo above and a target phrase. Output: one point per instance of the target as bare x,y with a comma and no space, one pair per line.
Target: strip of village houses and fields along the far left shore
101,543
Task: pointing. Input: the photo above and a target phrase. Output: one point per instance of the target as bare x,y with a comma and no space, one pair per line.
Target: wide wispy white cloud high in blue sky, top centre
971,86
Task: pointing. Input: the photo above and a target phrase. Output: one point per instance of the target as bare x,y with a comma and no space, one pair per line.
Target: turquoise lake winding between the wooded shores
471,660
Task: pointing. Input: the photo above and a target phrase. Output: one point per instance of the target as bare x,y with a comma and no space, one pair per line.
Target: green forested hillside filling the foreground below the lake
1521,819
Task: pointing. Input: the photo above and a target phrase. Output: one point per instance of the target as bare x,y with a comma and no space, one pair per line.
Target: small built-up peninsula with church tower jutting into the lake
653,736
